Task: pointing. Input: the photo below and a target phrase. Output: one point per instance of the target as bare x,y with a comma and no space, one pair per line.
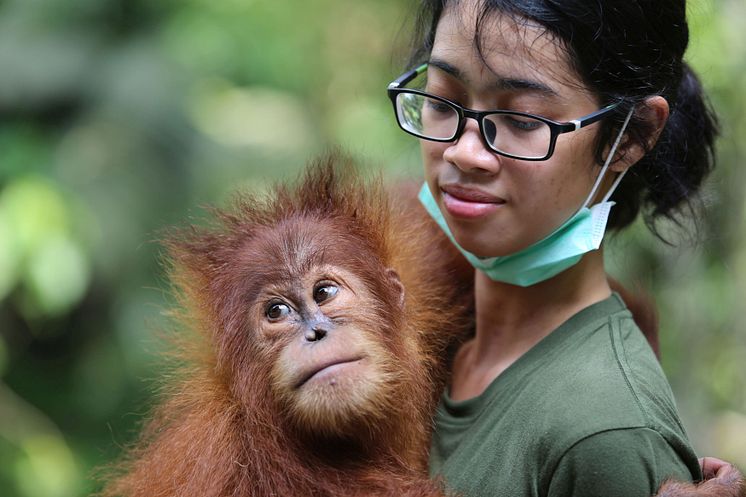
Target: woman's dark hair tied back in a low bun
625,51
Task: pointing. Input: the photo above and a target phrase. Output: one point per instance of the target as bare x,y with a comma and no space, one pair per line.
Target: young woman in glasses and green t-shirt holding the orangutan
545,123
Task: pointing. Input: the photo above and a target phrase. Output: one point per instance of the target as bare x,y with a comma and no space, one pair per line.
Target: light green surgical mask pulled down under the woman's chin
563,248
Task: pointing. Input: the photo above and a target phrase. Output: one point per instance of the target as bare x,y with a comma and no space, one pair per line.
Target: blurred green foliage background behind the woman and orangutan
121,117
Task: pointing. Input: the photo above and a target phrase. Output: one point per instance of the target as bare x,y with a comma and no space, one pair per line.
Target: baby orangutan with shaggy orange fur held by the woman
325,317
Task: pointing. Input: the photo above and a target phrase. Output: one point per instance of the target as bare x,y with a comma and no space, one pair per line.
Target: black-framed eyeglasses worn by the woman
513,134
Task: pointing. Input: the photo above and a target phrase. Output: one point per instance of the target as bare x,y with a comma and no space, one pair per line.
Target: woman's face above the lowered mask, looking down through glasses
495,205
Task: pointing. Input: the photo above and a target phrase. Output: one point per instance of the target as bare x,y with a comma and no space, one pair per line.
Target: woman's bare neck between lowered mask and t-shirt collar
510,320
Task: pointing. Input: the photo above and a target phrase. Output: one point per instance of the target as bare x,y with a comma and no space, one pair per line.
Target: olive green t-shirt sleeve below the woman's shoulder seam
617,463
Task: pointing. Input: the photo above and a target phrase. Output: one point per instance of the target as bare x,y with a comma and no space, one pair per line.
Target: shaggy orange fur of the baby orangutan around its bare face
219,431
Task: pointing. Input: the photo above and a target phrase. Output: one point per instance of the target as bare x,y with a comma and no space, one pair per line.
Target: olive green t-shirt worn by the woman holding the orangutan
585,412
